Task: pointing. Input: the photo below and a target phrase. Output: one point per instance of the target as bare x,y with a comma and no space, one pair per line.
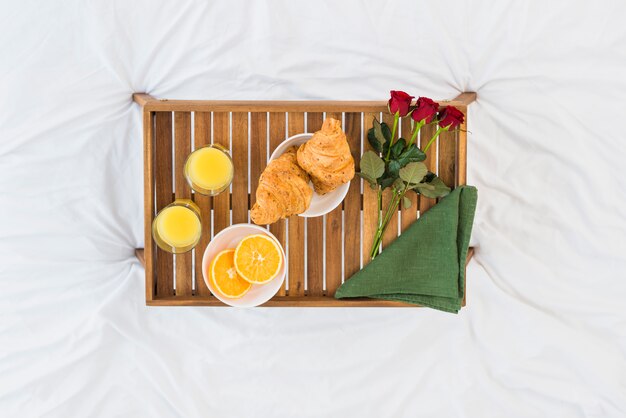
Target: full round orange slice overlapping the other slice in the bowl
258,258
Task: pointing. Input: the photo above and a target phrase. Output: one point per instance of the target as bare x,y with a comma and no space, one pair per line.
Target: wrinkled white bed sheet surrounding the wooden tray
544,332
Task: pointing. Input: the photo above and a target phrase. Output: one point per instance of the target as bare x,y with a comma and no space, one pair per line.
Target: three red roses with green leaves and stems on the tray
397,164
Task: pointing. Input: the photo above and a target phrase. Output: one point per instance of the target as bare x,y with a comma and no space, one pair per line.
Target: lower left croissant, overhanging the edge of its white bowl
283,190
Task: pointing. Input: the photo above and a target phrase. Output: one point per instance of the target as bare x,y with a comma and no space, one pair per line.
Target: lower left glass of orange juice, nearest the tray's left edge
178,226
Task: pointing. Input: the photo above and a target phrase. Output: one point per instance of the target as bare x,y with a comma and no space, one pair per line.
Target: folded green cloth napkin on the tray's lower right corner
426,264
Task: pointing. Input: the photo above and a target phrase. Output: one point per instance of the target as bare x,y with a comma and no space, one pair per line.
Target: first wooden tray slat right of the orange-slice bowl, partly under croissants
296,226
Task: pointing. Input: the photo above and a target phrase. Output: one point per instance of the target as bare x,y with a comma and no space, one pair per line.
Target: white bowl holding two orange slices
229,238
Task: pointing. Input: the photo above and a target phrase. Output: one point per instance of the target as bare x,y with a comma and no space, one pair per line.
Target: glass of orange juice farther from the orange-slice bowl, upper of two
209,170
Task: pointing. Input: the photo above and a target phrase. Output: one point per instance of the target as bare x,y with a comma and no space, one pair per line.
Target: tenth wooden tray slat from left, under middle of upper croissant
333,241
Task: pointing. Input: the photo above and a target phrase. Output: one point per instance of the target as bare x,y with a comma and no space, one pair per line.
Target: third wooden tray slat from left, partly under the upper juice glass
202,137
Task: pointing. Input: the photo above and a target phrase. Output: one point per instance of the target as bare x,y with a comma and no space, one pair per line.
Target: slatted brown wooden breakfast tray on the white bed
321,252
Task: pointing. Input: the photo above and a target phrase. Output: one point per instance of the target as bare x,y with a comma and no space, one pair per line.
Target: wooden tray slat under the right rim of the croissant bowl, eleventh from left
352,202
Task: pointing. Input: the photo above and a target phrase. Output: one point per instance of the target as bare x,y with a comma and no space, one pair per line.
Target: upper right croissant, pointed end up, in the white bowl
326,157
